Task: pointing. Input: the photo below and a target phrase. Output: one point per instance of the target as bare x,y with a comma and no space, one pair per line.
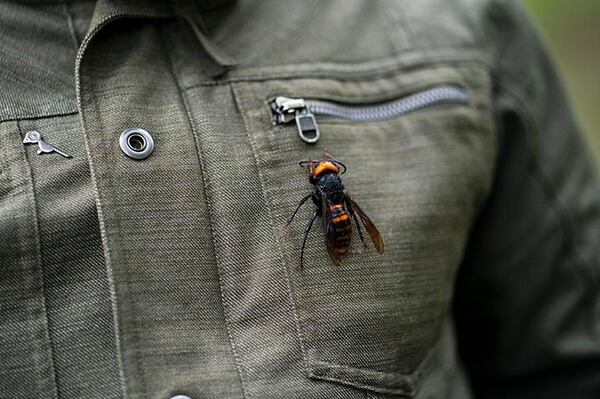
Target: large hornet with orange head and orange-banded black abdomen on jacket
336,208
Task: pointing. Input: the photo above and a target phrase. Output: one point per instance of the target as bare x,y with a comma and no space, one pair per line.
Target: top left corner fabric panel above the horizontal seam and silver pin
36,61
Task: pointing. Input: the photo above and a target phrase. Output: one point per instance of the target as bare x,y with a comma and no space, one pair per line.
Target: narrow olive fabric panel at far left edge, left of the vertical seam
27,366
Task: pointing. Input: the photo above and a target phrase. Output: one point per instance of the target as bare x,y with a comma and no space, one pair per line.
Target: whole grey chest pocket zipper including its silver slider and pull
286,110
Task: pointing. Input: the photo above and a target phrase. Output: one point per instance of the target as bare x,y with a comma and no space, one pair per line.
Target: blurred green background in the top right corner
571,29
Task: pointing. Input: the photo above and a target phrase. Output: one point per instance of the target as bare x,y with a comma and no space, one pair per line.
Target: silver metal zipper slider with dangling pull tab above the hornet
287,109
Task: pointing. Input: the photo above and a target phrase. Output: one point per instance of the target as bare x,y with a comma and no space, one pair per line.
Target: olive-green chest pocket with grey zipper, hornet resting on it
419,148
